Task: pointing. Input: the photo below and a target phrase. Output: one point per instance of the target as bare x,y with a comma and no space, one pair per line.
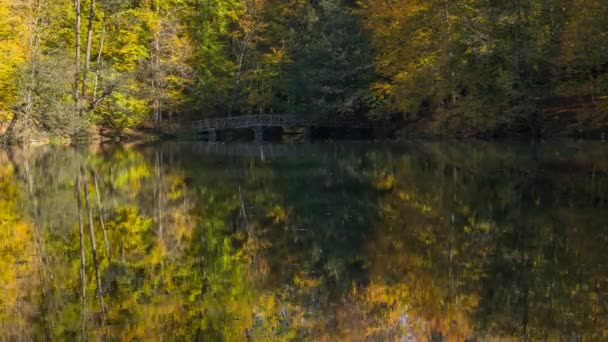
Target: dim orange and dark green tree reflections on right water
474,240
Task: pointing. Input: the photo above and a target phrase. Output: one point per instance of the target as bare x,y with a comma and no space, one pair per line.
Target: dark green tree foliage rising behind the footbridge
330,63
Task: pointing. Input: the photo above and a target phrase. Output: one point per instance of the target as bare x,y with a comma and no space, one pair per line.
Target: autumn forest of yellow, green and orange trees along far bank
467,68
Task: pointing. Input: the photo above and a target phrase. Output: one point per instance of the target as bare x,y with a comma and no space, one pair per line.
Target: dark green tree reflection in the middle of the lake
317,236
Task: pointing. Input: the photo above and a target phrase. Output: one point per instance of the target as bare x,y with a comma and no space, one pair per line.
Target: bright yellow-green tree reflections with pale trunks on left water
178,268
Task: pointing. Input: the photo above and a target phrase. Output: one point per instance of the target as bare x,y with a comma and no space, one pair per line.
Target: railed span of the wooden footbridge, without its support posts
250,121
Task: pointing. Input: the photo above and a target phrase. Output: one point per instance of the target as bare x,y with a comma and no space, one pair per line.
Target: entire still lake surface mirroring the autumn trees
445,241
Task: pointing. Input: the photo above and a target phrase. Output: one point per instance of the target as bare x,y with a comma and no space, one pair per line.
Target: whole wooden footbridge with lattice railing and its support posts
259,122
